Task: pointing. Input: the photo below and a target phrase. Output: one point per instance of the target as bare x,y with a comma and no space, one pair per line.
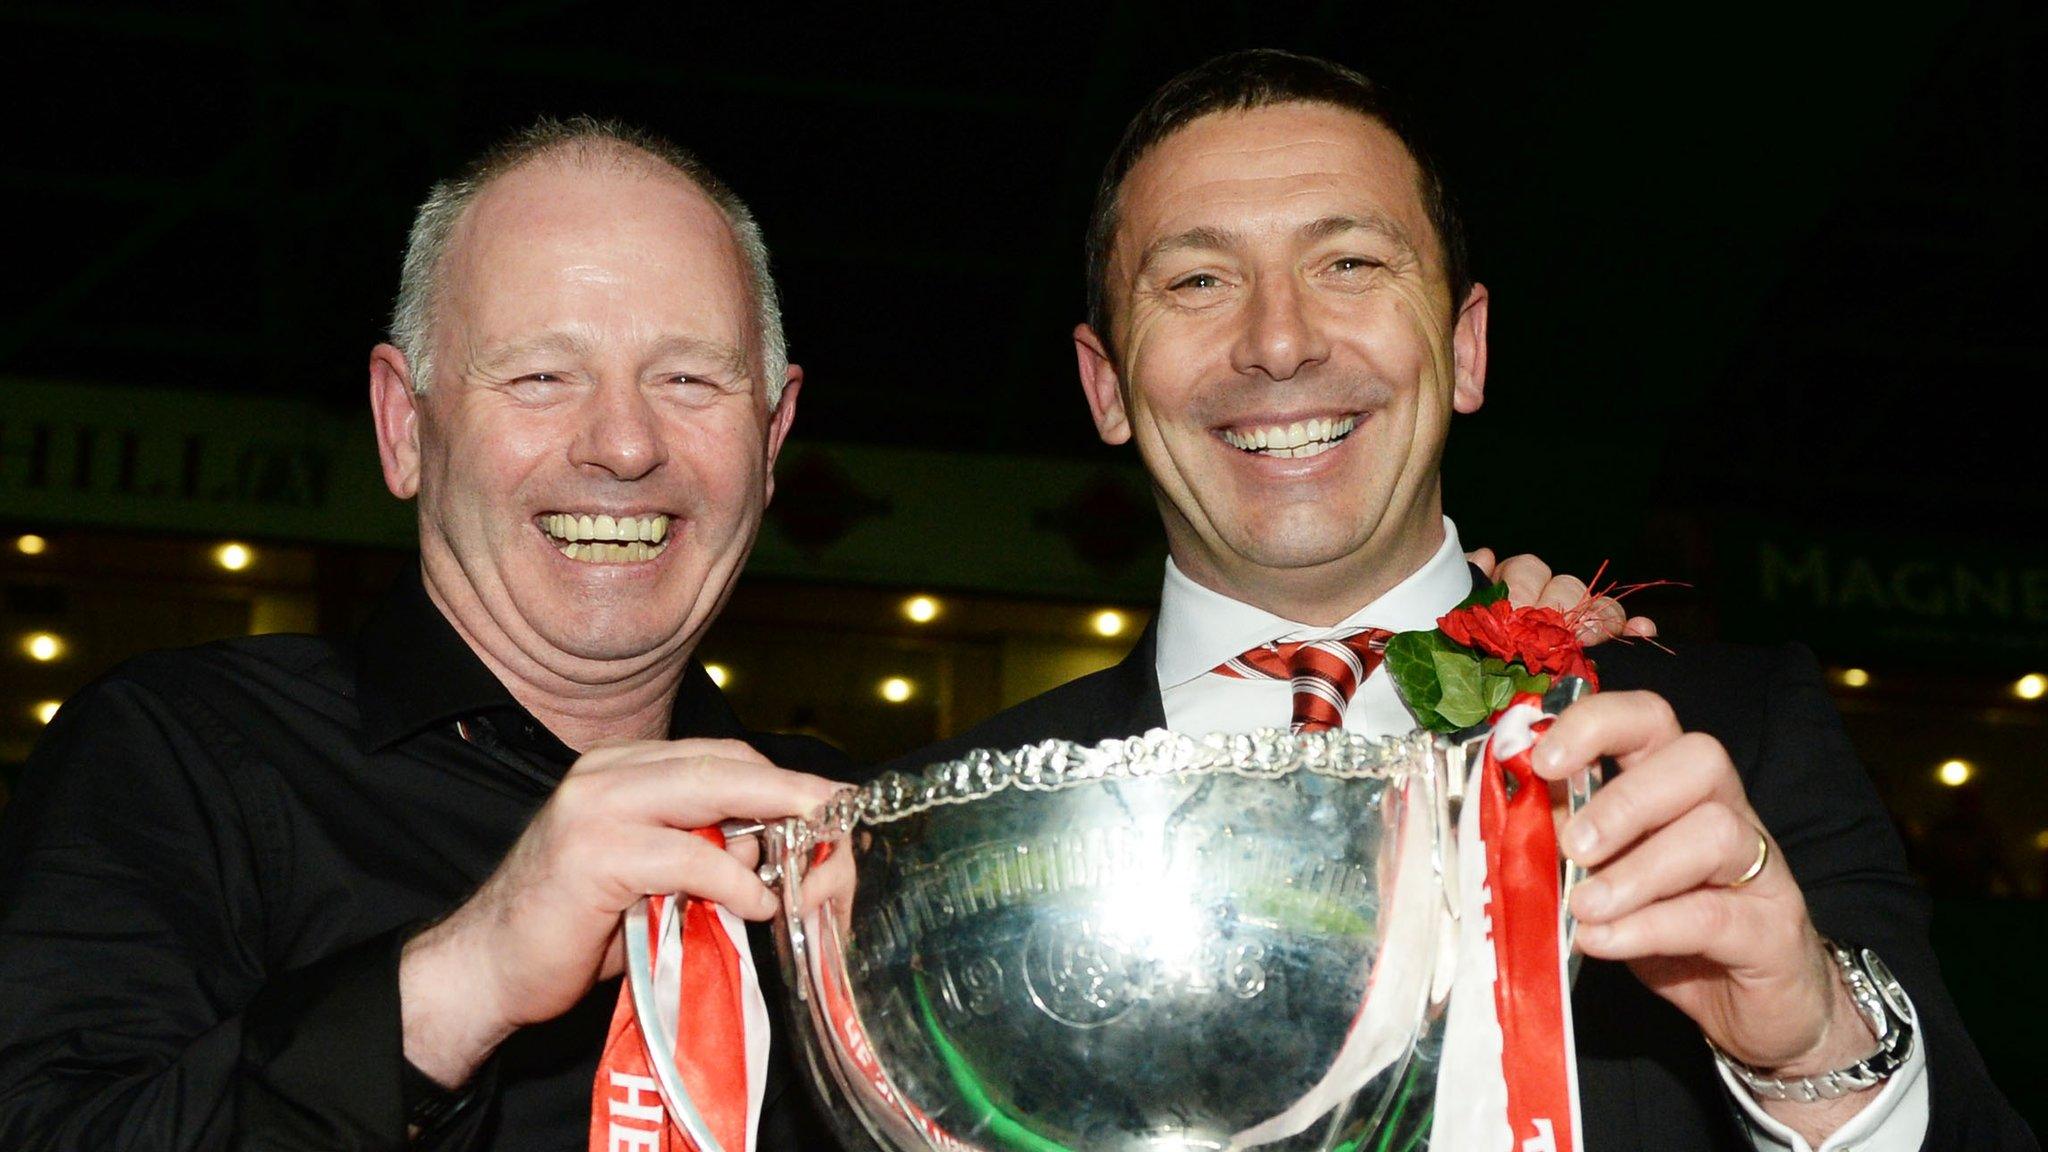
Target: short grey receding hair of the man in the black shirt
433,227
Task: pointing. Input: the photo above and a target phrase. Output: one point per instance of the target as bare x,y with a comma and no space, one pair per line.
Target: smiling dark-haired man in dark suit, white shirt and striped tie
1281,319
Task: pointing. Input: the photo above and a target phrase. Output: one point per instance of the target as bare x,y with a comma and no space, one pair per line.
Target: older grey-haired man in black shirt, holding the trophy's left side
292,895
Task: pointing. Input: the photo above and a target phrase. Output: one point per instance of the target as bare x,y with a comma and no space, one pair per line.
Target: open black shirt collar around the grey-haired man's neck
415,673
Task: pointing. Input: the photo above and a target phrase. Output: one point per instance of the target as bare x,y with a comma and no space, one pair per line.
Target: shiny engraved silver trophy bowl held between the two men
1164,944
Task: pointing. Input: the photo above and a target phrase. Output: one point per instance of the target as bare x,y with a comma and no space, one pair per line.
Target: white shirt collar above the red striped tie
1201,628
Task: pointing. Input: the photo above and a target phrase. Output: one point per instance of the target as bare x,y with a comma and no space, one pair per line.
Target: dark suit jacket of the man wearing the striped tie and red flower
1646,1077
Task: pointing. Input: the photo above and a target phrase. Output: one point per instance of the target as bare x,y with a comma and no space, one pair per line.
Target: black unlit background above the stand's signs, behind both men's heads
1736,253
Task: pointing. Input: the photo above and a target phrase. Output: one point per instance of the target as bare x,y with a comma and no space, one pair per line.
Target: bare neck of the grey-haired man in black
581,710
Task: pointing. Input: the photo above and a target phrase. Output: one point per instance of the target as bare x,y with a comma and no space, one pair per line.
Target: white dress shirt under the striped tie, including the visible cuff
1201,628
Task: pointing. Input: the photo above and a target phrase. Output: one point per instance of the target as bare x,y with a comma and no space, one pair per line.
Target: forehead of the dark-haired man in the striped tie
1273,169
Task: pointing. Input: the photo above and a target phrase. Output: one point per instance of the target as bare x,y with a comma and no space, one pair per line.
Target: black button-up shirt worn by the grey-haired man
214,860
